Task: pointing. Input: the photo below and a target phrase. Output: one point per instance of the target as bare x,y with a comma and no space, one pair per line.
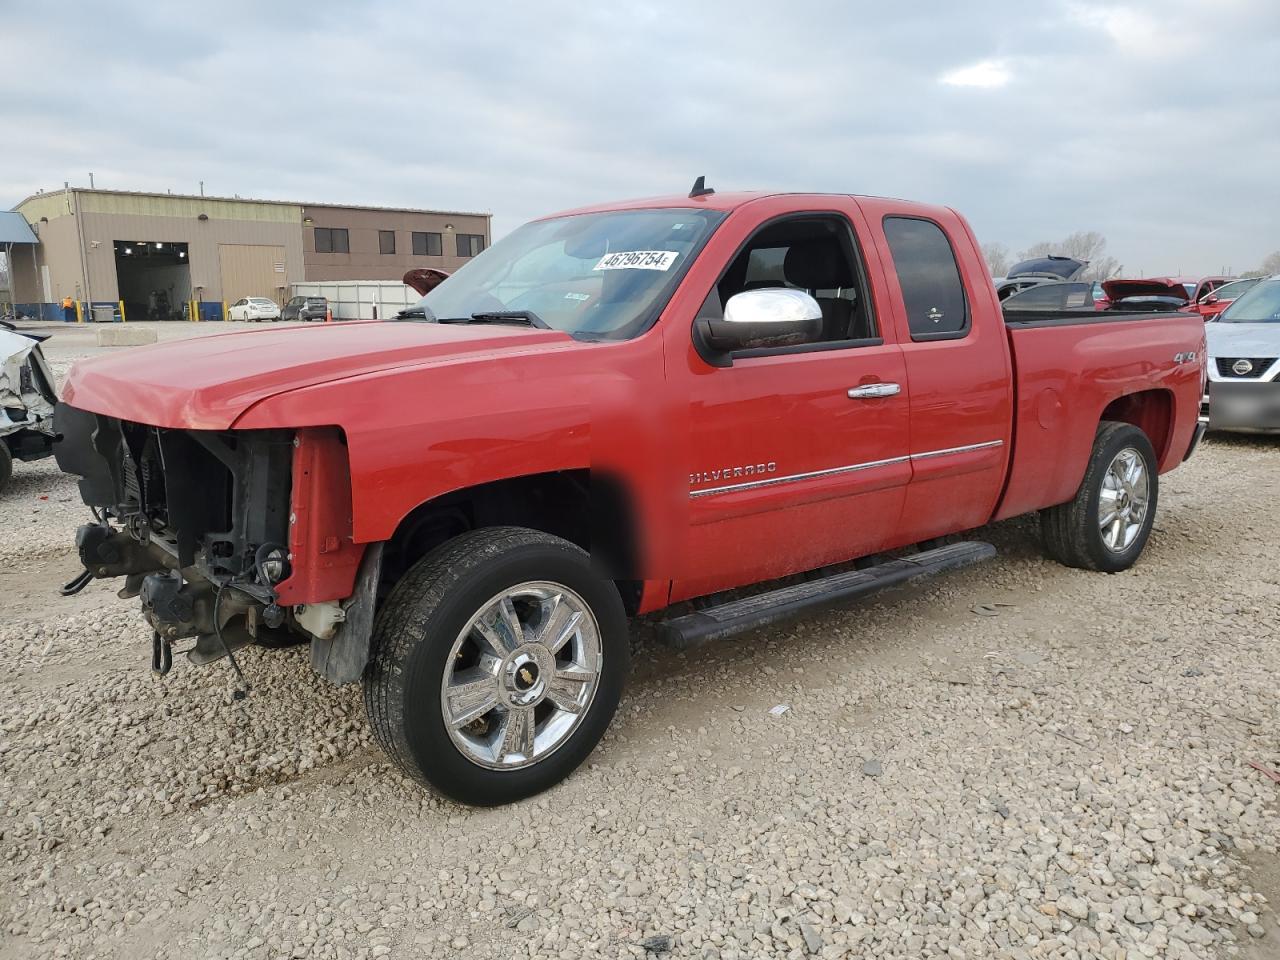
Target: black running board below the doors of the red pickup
752,612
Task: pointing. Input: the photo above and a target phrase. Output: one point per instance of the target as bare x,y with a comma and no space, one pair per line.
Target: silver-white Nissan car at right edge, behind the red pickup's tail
1245,363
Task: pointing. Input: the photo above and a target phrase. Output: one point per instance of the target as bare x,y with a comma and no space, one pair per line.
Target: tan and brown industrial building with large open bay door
158,253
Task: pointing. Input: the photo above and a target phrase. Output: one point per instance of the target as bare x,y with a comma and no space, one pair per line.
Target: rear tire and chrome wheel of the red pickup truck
1107,525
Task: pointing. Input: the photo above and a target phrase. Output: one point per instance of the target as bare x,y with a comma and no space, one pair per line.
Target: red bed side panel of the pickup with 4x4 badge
1071,372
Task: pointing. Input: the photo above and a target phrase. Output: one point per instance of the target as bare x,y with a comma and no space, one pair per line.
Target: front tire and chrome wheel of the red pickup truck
499,662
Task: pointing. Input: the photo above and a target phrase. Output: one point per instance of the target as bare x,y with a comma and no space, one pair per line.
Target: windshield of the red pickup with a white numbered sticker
596,276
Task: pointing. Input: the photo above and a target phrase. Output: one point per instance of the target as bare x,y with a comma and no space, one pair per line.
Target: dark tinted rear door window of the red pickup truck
930,278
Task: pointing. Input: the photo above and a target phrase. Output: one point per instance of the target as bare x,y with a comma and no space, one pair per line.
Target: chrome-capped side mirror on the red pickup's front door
775,317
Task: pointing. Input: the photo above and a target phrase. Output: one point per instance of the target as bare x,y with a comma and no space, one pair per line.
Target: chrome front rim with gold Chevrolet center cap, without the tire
522,675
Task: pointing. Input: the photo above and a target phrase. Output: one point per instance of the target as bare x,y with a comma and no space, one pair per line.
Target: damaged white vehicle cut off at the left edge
28,401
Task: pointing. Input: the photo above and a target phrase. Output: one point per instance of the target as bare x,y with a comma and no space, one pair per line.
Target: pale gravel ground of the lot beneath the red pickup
1062,772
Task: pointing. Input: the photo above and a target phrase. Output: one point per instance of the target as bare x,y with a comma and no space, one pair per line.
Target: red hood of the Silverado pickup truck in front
207,383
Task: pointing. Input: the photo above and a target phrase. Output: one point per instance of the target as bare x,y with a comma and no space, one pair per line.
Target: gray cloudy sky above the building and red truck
1154,121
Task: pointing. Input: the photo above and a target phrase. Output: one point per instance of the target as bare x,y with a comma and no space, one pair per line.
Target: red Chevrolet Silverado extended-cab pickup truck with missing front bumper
610,413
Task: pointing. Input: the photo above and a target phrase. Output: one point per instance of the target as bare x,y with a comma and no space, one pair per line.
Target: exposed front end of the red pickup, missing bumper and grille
208,527
